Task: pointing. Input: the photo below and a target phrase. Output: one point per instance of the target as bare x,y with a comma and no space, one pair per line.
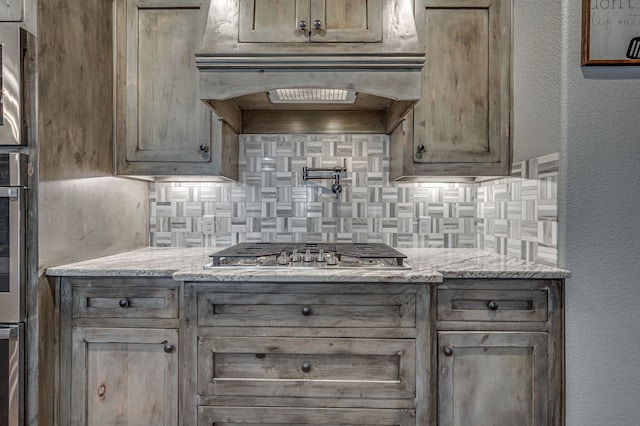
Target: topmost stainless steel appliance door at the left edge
12,50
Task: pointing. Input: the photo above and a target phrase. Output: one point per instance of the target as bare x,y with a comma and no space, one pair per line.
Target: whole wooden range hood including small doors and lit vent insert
265,71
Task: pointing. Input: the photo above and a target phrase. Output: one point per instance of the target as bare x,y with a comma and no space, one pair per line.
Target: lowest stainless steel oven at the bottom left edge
11,374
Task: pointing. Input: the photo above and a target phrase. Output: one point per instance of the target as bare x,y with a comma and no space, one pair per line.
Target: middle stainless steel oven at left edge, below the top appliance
12,237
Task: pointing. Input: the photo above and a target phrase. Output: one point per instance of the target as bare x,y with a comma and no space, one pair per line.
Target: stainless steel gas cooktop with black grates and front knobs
309,255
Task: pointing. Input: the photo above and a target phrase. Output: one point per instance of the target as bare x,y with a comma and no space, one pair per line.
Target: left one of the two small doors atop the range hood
274,21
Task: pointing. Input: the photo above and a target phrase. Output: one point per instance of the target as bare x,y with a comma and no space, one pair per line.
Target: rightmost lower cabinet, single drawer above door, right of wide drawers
502,368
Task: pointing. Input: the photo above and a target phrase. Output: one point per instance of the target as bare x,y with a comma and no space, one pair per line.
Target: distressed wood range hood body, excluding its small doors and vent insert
238,70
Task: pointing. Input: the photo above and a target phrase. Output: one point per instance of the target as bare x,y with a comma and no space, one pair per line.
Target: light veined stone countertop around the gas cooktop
428,265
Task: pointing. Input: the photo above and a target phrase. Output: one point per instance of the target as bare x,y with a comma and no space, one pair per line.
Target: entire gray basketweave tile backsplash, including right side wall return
271,202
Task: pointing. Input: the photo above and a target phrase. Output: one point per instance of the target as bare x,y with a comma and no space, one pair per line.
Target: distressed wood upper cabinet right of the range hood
462,124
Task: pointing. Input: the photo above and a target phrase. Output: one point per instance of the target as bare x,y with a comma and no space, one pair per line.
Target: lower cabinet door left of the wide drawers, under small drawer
124,377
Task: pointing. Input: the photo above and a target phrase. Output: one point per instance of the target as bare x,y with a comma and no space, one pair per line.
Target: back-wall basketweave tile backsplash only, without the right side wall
271,201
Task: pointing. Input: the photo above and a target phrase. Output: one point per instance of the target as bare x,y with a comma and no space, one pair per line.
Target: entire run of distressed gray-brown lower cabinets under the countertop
478,352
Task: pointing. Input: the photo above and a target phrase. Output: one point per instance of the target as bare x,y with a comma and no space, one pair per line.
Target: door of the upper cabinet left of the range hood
165,120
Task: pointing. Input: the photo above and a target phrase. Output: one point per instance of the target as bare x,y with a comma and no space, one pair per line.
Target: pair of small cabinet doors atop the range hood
302,21
